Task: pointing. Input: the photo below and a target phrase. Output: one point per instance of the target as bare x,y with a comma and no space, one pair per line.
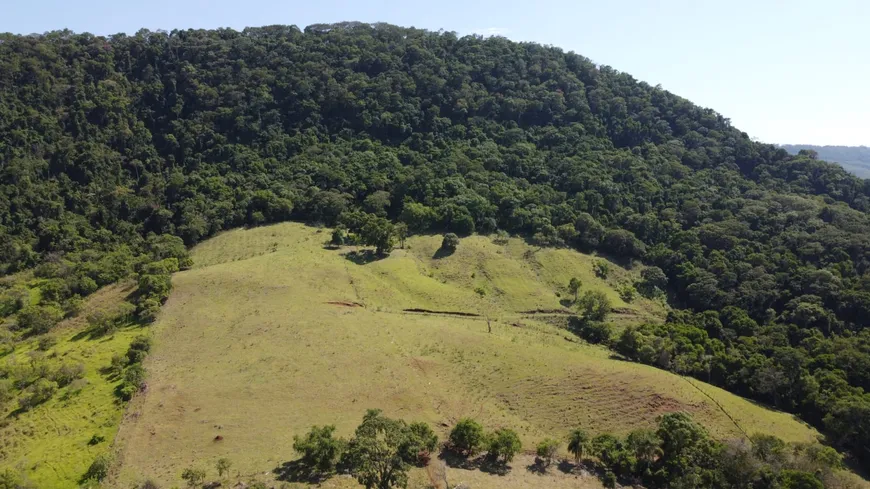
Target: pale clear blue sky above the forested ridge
790,71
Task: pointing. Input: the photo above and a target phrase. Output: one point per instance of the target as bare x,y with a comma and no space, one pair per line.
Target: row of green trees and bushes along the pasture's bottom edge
677,453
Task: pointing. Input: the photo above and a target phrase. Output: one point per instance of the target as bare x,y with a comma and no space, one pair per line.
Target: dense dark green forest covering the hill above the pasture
112,146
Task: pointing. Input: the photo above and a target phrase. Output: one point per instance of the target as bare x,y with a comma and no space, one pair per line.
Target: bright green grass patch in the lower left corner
49,444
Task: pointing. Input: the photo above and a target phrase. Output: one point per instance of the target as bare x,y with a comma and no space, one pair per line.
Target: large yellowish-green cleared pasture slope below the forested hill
271,332
